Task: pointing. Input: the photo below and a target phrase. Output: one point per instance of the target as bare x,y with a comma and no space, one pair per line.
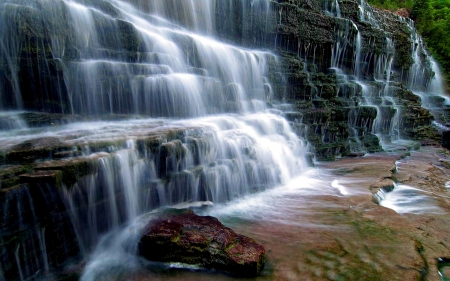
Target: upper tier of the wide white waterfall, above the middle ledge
133,58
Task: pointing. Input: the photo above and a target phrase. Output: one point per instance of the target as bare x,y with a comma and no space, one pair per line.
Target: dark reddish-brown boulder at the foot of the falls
204,241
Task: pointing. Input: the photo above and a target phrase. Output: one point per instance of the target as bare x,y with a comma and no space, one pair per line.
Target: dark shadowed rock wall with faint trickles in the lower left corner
36,231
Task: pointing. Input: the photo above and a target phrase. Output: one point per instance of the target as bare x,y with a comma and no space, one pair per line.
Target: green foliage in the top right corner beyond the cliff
432,19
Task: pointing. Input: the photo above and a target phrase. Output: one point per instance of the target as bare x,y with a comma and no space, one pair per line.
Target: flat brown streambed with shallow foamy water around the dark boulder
324,225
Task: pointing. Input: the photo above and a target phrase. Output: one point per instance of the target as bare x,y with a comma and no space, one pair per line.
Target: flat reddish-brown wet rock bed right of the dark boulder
353,238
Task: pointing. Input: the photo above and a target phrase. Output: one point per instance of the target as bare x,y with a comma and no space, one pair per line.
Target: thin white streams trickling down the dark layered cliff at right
354,54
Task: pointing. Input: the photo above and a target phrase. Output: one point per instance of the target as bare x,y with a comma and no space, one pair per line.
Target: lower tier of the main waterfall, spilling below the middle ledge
219,160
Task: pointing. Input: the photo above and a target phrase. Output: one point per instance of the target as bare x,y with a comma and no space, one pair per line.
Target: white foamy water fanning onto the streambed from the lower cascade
285,204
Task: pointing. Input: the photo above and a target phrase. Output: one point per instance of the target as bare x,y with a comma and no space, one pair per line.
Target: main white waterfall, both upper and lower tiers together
147,58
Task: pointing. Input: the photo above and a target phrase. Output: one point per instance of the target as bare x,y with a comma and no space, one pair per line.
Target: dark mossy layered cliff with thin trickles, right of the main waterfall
351,71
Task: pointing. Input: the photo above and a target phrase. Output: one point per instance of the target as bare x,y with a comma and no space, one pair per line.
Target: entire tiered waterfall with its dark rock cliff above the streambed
110,109
